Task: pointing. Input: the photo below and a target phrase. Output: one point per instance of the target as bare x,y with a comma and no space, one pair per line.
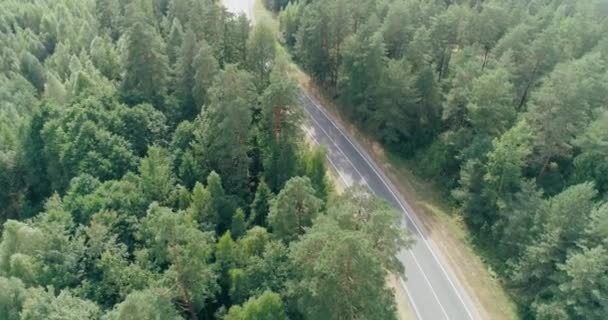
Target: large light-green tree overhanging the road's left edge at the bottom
329,258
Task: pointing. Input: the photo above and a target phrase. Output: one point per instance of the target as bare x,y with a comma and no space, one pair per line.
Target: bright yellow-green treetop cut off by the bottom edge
266,306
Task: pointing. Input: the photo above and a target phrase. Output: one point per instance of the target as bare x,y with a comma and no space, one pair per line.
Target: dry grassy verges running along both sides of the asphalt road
444,223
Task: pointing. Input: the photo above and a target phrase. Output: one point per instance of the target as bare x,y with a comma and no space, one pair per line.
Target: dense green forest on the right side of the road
503,104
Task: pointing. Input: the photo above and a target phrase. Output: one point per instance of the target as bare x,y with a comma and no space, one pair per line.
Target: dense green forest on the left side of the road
153,166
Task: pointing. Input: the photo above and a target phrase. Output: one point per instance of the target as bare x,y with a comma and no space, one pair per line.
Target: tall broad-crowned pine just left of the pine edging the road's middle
222,133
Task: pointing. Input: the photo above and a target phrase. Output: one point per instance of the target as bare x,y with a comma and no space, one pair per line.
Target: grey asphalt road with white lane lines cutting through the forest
432,289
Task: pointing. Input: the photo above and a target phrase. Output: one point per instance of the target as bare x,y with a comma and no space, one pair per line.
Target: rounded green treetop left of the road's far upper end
261,52
